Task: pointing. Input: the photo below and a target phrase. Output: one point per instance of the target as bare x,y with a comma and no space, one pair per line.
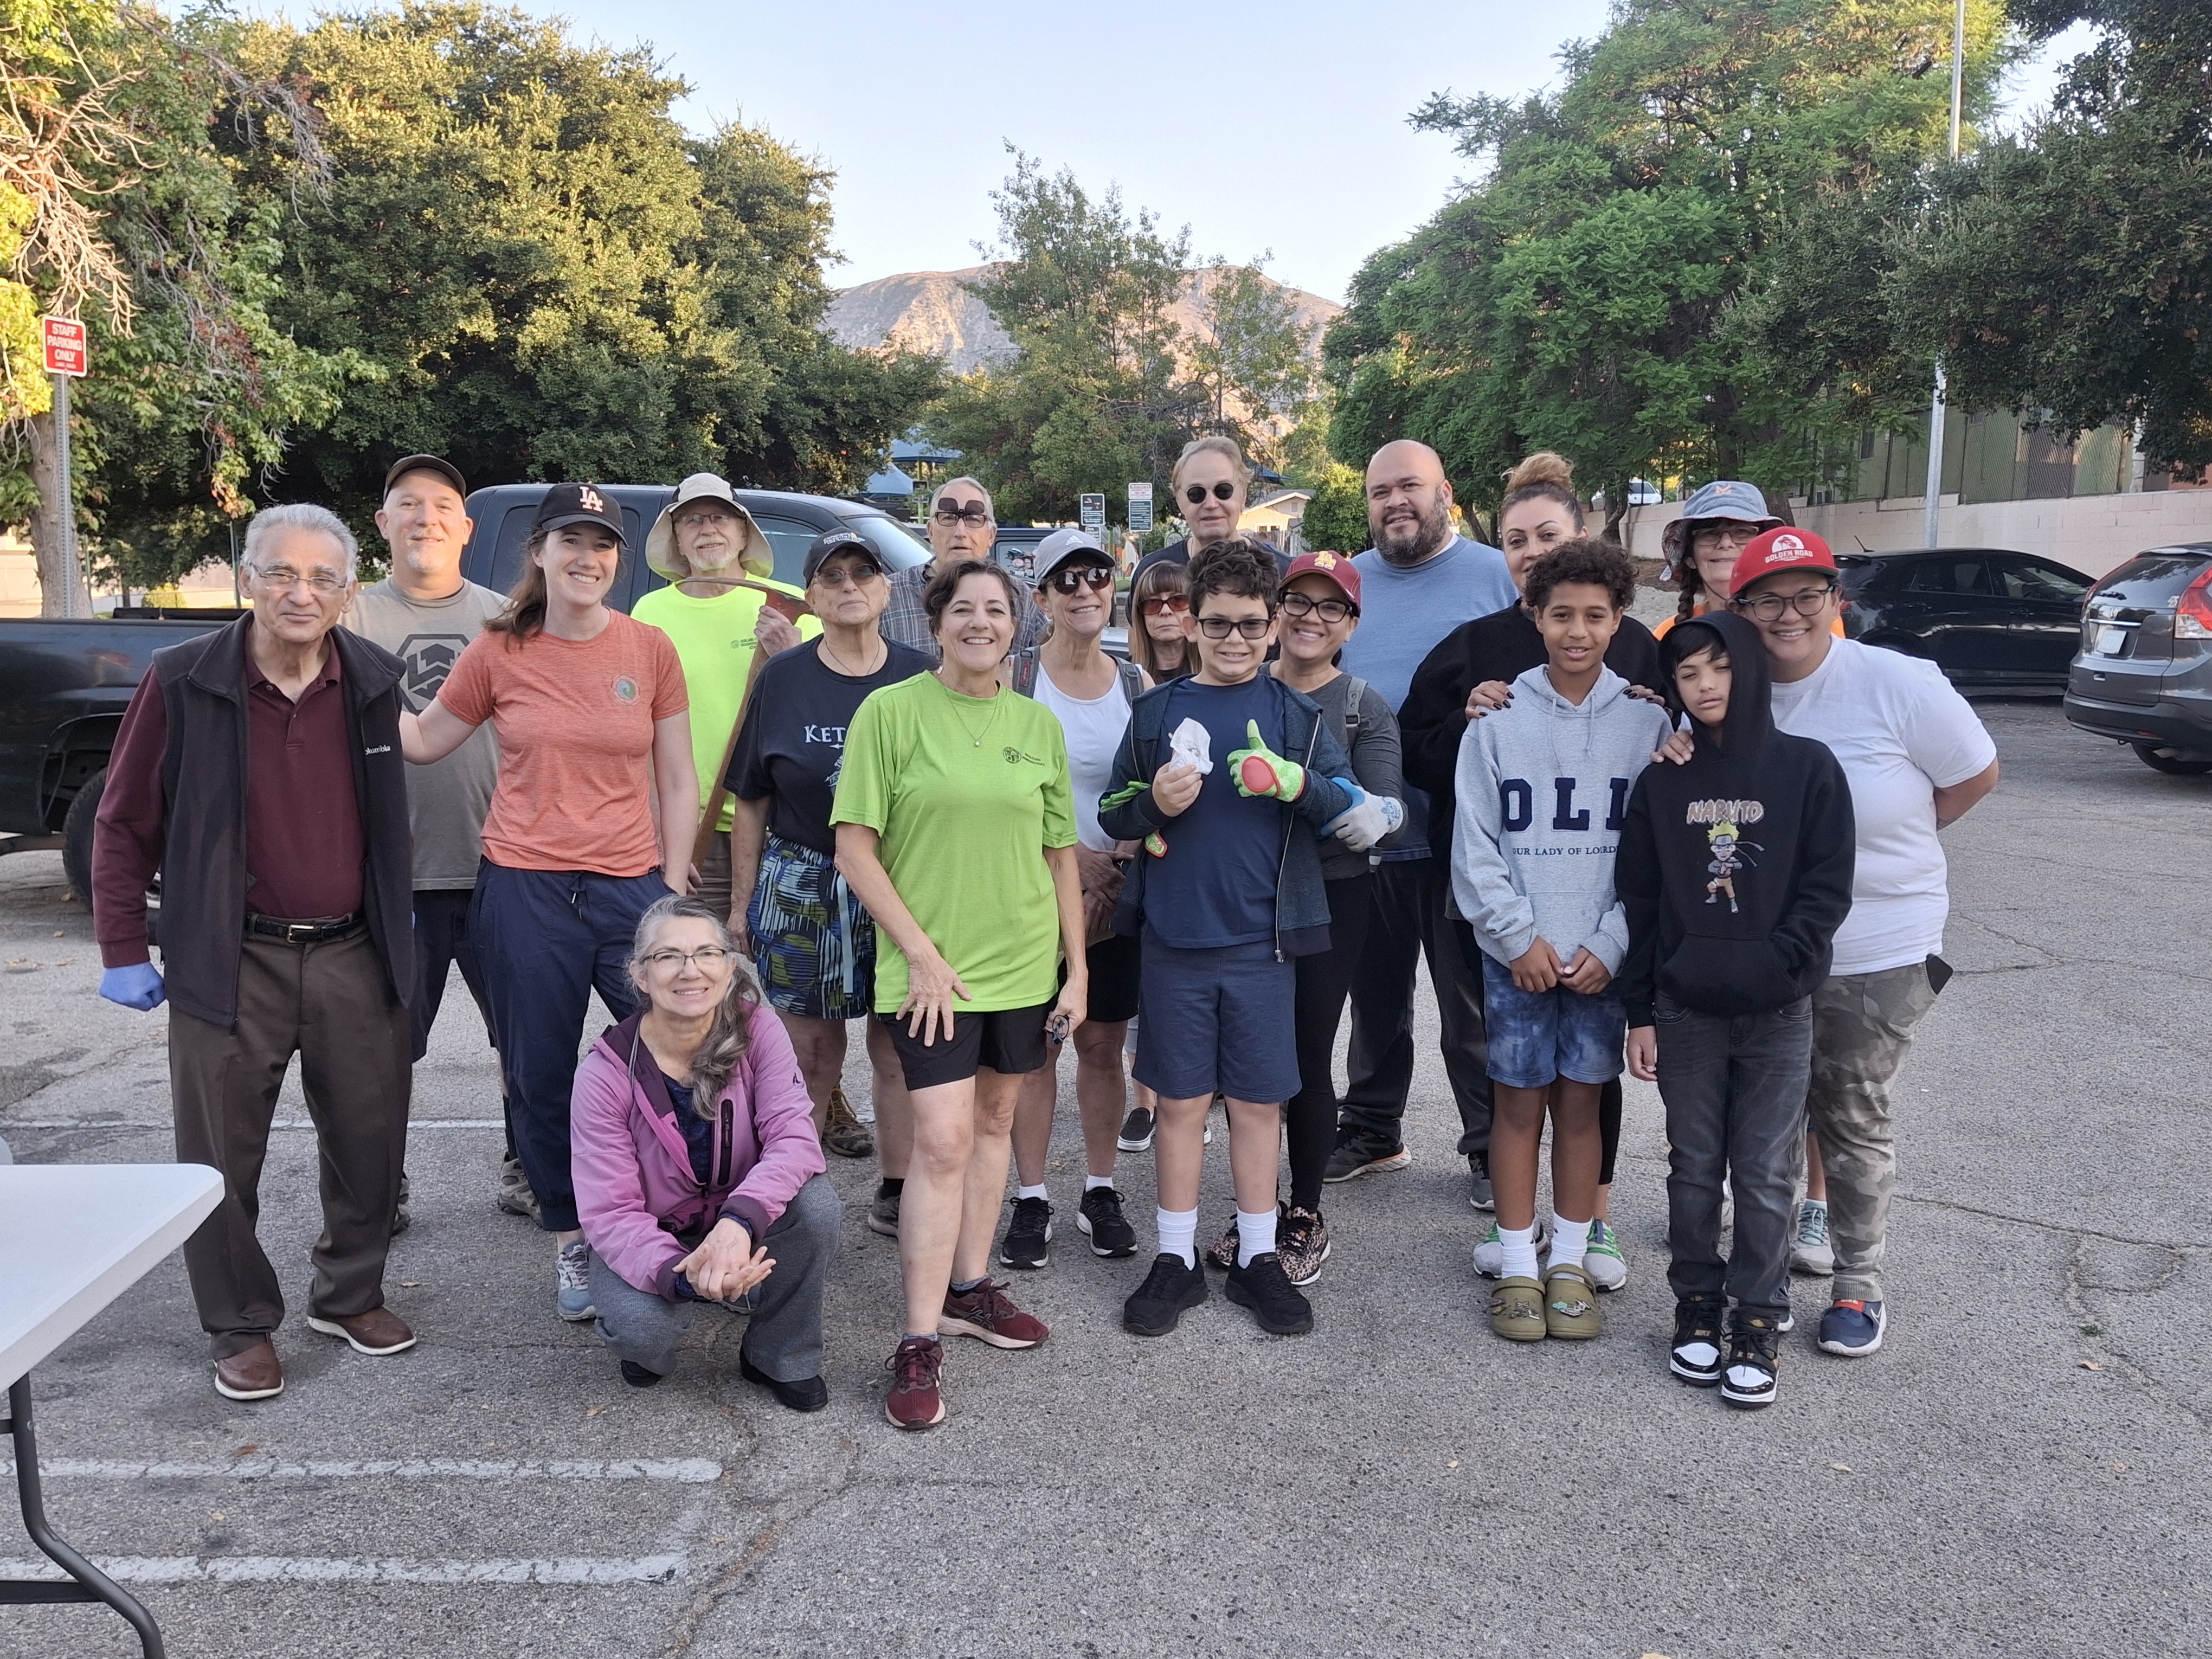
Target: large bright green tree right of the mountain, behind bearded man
1580,295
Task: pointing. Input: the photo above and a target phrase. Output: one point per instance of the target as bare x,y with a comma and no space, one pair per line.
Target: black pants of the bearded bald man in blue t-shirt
1406,926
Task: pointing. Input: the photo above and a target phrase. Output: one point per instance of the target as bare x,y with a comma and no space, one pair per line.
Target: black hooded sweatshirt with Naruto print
1735,870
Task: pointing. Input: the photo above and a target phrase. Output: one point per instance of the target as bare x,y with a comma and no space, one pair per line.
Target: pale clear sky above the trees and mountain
1308,154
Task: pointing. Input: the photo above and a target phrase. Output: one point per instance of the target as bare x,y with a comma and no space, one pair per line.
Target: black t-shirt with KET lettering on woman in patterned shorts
791,747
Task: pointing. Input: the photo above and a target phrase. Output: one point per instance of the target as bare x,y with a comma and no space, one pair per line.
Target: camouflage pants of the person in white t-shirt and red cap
1861,1027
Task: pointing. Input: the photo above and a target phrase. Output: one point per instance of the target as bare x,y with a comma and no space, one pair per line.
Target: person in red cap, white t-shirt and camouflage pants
1917,760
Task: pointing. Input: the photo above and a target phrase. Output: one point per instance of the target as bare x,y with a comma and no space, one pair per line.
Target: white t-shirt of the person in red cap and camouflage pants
1901,733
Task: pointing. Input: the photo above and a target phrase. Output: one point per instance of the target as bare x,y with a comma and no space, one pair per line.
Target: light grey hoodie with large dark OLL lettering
1543,793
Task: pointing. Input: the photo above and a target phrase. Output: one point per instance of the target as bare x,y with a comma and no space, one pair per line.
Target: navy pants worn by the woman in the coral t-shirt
547,939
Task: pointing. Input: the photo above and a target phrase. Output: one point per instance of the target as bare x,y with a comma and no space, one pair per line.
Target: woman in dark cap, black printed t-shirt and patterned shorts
806,932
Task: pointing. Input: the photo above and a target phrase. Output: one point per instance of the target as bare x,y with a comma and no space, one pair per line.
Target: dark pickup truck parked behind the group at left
65,685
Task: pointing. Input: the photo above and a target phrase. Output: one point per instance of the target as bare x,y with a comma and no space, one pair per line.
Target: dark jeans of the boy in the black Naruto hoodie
1735,1107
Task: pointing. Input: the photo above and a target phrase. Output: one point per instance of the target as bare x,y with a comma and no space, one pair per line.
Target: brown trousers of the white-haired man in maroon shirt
328,1005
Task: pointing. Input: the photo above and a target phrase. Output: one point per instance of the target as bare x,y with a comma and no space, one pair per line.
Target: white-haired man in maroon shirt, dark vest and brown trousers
260,773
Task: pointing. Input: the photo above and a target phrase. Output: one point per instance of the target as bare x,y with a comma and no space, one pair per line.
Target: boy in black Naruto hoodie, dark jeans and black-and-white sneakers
1735,873
